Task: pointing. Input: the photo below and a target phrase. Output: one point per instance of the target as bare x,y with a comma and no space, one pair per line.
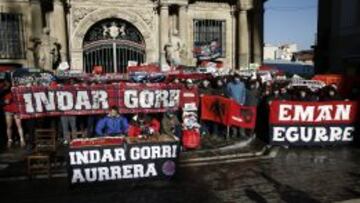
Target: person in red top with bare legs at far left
11,111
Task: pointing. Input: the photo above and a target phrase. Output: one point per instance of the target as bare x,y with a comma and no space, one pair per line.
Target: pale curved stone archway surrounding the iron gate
77,36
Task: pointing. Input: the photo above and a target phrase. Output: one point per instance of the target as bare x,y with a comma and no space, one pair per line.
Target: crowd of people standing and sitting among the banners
247,91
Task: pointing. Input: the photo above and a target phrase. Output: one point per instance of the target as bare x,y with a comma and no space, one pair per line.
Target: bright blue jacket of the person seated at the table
112,126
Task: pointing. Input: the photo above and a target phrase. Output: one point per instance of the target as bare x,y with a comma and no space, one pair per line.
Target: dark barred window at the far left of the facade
11,36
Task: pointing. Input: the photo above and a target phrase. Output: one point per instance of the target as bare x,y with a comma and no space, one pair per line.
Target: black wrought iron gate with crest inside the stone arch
111,44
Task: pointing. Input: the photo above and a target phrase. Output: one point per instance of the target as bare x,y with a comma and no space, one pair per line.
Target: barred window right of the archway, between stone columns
209,37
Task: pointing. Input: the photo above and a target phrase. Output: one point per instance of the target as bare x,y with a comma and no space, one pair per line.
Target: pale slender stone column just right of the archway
164,31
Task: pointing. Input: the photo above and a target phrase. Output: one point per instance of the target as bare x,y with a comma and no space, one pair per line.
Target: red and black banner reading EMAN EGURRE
312,123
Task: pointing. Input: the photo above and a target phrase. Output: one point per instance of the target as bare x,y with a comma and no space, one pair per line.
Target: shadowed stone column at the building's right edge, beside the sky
258,34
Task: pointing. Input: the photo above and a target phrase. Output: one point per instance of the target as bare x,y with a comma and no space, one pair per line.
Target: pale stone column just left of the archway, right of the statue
59,28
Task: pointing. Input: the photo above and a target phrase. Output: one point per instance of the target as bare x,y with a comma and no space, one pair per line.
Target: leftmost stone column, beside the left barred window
36,18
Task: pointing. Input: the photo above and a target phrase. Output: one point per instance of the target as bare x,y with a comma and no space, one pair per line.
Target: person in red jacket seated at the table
143,126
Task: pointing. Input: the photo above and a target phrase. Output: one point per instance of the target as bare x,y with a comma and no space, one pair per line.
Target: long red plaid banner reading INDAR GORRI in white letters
41,101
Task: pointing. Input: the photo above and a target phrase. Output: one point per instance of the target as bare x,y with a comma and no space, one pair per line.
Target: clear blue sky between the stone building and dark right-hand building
291,21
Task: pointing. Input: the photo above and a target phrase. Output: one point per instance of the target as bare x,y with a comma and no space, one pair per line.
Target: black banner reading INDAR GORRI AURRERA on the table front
122,162
